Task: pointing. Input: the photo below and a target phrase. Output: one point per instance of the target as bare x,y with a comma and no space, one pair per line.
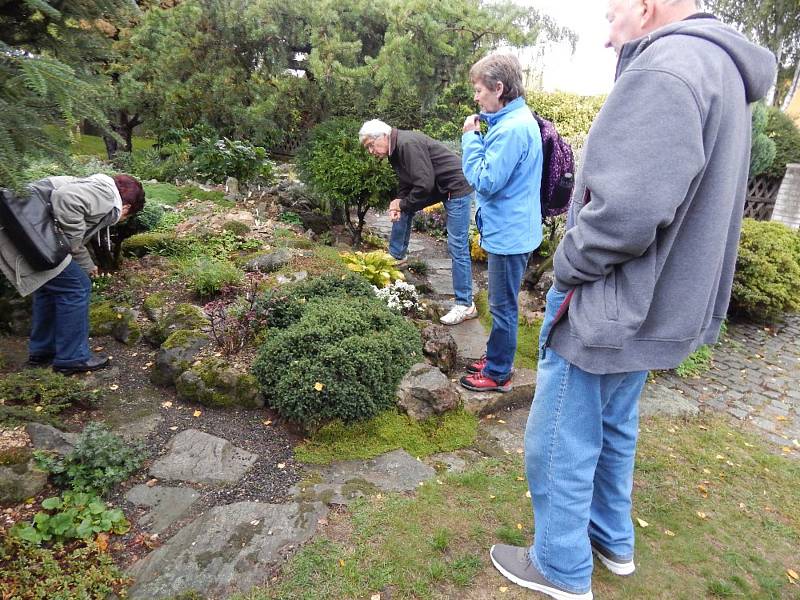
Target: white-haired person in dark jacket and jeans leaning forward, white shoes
428,173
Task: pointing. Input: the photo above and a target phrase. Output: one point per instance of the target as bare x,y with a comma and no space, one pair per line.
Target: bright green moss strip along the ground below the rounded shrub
389,431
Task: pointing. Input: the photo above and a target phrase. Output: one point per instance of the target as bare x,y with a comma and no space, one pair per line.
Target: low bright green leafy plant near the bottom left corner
75,515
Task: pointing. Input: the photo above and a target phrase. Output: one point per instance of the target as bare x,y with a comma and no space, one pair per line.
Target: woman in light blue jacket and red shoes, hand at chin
504,166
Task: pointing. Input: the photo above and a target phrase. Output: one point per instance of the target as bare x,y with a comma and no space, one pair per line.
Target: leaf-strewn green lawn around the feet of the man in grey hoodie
720,518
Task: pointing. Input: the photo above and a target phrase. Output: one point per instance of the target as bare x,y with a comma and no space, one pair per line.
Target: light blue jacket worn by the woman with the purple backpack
505,169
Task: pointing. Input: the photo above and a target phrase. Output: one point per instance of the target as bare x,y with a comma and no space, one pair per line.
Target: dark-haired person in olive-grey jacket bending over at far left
84,207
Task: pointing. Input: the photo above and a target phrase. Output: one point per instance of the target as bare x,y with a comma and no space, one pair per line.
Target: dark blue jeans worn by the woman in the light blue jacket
505,278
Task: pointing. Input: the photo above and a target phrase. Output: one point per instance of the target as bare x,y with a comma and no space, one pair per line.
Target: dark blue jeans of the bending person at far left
60,325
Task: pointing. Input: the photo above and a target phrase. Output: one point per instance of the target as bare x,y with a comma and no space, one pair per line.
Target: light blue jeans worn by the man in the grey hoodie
580,443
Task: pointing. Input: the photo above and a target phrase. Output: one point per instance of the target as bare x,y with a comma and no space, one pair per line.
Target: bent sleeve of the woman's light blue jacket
488,167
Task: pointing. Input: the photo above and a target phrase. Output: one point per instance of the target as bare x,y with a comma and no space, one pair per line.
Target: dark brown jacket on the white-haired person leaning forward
427,171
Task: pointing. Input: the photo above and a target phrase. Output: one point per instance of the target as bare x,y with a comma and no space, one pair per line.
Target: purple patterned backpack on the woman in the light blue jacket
558,166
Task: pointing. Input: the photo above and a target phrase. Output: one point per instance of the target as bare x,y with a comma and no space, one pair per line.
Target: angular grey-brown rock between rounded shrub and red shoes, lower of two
425,391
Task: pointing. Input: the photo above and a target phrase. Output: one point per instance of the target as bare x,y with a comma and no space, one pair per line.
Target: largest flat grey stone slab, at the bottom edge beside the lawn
230,548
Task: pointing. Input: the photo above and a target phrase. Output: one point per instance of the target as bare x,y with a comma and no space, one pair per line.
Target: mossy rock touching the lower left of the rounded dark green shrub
212,383
